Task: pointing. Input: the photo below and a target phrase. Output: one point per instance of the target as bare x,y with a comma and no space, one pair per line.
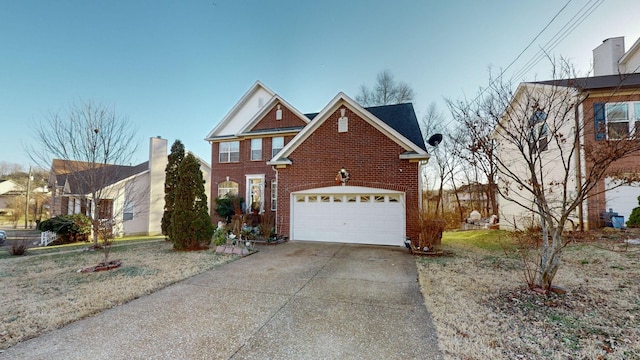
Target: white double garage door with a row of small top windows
349,215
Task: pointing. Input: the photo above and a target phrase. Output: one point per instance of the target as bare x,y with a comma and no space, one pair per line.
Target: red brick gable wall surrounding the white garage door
371,158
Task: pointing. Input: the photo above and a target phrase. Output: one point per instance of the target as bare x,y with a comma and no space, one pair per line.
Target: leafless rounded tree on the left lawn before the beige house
93,146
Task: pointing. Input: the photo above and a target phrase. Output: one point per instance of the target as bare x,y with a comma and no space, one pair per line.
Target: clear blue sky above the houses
175,68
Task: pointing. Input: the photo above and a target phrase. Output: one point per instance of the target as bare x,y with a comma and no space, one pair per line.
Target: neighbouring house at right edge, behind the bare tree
608,110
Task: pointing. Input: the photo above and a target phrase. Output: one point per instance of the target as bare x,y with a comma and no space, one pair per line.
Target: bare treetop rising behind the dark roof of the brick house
386,91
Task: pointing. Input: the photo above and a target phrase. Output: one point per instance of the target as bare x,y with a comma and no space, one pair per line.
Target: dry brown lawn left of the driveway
45,292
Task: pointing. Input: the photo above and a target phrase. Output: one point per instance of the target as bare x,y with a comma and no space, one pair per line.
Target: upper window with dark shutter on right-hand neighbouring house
622,119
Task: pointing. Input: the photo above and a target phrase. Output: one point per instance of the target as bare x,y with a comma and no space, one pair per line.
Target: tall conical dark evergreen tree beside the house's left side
190,227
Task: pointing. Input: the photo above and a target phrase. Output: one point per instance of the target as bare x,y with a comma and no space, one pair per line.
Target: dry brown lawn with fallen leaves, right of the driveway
482,309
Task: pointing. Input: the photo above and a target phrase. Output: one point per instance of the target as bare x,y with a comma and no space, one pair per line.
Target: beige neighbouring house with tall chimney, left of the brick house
131,198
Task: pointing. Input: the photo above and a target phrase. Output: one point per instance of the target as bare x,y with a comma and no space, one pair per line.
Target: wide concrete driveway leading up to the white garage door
297,300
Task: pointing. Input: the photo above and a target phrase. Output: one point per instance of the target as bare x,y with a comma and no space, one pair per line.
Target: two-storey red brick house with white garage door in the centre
346,174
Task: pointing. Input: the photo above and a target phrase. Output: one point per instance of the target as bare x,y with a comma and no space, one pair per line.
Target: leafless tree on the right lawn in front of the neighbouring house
539,136
